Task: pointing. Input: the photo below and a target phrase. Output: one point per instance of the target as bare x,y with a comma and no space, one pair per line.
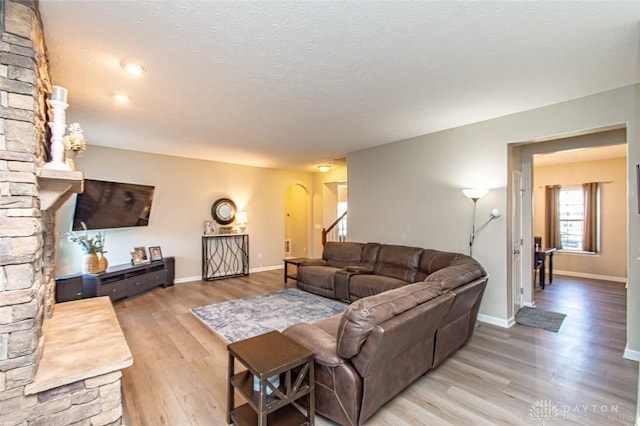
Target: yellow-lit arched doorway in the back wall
296,221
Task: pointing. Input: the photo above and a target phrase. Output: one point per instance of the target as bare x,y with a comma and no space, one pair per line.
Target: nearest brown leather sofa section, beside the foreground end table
369,354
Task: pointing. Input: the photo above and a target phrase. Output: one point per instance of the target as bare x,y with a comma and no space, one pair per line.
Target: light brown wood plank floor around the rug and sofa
513,376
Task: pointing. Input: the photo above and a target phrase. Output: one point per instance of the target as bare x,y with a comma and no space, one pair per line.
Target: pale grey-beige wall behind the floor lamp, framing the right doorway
409,192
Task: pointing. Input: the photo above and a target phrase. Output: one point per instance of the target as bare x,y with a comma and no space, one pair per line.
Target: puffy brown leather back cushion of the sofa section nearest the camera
365,314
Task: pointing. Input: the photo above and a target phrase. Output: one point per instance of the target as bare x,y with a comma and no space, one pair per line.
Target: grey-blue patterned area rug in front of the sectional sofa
243,318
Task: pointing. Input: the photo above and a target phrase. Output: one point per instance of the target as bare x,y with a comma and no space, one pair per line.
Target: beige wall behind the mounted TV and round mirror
185,189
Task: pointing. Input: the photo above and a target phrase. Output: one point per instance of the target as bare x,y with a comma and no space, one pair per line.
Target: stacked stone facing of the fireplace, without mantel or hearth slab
27,241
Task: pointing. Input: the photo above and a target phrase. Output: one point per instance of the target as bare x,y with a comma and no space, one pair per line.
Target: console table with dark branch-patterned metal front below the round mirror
224,256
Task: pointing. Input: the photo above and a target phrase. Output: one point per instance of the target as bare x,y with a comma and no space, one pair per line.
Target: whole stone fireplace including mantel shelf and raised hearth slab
31,392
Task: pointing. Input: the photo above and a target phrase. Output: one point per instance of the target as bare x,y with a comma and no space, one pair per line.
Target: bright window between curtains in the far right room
571,215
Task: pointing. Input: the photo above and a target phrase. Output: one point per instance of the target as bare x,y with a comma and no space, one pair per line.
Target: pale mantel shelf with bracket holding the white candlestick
56,186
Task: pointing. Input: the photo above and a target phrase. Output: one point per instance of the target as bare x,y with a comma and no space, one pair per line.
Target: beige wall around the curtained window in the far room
611,262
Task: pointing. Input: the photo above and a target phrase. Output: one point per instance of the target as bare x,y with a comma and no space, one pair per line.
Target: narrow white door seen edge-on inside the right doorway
516,246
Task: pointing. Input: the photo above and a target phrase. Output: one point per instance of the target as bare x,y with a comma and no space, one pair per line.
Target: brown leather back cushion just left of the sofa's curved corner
399,262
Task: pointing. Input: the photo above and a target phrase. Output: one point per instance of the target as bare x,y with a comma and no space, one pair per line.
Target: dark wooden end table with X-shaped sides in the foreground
265,356
